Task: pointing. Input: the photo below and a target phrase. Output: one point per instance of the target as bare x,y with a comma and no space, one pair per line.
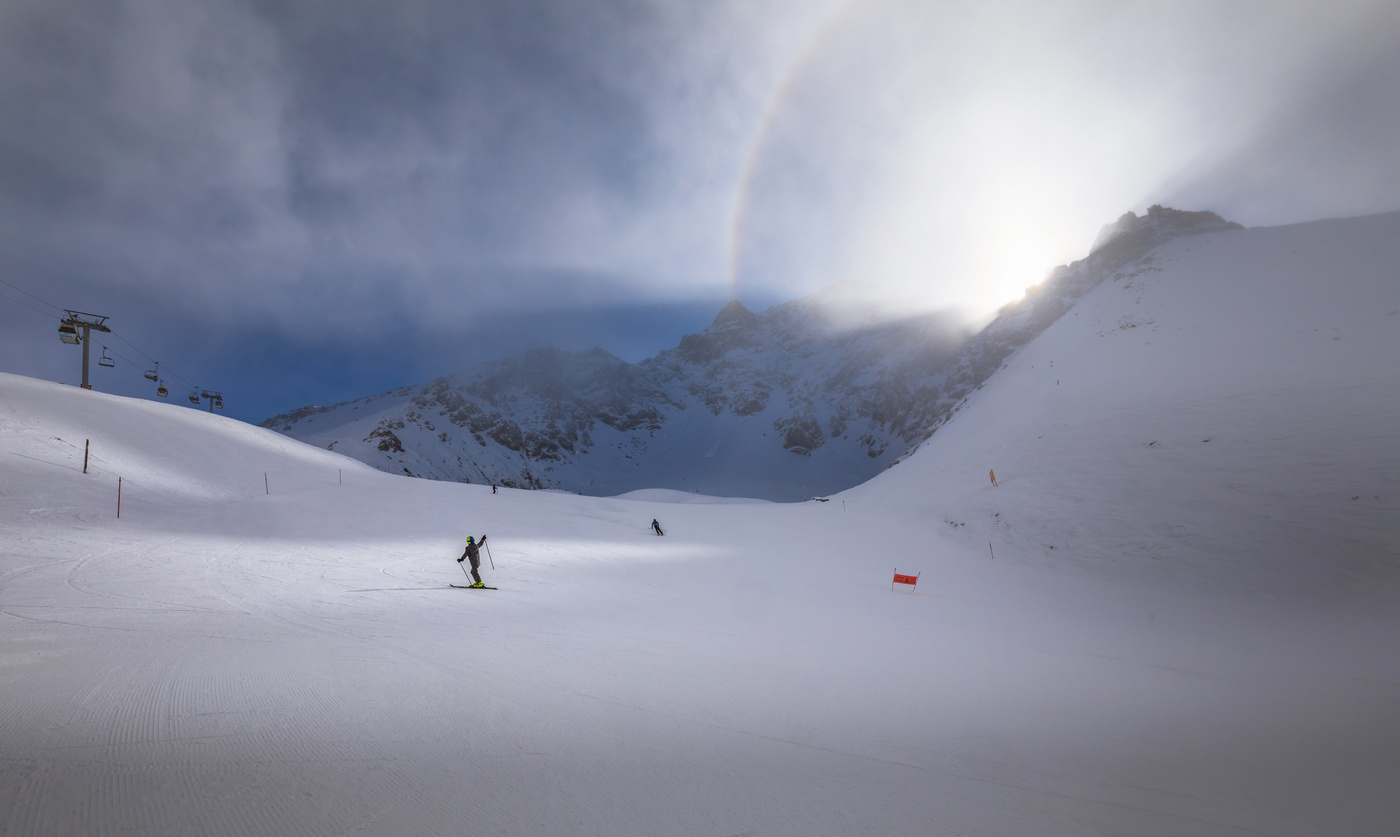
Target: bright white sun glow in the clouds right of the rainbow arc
958,177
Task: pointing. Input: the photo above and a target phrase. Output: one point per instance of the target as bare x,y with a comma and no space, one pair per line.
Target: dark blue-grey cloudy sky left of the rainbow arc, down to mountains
268,195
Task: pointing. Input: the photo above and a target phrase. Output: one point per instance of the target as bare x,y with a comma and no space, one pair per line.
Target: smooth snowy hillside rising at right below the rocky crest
1227,411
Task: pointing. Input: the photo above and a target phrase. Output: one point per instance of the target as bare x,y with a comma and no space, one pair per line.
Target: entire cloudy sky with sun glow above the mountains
302,202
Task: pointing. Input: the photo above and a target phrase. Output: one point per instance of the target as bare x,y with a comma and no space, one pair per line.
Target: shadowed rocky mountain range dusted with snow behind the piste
803,400
